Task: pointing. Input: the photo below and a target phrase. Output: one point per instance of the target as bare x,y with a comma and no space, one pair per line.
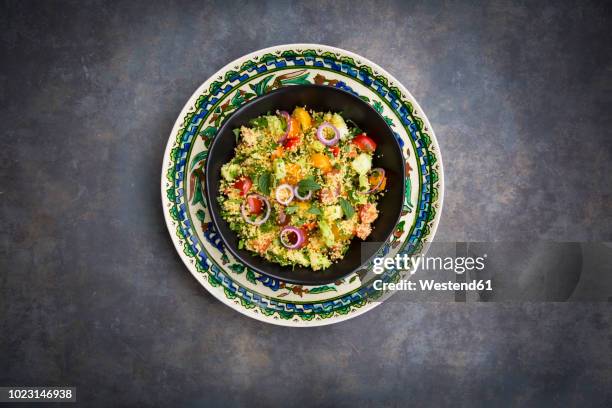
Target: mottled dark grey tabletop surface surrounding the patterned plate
92,293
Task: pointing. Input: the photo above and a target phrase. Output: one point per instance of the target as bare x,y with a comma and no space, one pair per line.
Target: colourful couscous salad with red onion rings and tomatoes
301,186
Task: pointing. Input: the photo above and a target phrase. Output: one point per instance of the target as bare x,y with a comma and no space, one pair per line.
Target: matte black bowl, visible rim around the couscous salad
388,156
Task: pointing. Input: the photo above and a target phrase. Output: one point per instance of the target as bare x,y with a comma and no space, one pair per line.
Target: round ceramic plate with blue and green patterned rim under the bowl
185,210
